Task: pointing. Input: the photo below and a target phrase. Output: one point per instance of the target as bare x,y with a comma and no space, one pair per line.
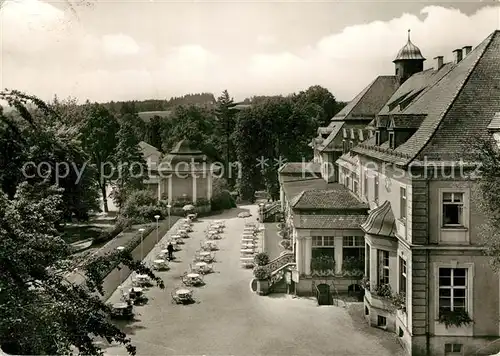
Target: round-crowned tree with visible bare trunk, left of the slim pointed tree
99,134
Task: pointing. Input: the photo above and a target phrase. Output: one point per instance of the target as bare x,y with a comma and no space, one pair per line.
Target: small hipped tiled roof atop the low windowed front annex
336,197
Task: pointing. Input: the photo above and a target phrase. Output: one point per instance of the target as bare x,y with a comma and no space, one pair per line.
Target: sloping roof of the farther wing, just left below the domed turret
368,103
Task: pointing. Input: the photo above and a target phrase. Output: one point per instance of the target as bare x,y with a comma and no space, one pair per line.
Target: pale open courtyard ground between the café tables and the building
229,319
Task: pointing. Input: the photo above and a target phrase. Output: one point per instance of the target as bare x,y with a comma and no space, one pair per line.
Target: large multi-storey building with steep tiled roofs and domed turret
426,277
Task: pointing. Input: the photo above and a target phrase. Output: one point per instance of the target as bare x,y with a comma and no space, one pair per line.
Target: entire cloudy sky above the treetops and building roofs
145,49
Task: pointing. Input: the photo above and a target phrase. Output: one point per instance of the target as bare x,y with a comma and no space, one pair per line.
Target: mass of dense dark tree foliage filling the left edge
44,309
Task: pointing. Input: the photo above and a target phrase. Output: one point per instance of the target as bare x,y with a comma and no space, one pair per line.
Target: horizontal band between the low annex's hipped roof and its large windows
353,221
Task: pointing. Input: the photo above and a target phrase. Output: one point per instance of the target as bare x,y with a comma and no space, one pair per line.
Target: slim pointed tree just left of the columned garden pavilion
131,168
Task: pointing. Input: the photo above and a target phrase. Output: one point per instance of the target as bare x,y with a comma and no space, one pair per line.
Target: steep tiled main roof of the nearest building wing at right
459,101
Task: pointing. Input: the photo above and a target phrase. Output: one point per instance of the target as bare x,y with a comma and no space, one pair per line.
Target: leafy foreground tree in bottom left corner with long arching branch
43,312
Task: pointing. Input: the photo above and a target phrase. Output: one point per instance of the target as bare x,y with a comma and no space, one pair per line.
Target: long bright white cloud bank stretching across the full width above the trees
47,51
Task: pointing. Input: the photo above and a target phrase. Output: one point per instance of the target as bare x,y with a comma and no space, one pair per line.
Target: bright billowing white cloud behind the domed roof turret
346,62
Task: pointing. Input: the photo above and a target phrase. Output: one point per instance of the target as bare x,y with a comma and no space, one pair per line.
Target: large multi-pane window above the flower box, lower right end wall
452,288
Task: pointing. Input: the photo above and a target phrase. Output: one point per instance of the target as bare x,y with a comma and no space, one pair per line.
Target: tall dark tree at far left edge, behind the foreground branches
41,146
